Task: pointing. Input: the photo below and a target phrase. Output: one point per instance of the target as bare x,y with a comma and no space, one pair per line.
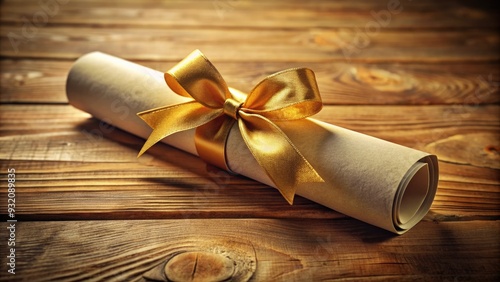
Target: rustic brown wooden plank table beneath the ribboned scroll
424,74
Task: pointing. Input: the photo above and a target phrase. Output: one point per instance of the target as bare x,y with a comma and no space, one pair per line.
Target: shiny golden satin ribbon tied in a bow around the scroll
287,95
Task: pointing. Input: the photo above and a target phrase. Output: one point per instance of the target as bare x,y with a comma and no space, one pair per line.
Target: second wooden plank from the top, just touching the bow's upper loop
251,45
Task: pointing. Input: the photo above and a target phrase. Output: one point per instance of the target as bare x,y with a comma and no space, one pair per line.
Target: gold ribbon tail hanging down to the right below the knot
272,149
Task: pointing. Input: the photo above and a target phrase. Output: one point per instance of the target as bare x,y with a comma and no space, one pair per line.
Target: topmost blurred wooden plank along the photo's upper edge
264,14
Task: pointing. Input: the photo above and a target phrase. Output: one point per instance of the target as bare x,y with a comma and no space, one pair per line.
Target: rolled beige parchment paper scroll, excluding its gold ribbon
375,181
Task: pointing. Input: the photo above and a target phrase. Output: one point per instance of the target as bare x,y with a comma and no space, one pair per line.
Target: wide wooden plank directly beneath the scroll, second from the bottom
78,161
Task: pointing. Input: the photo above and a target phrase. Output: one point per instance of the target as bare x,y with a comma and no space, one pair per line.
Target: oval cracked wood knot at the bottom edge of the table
199,266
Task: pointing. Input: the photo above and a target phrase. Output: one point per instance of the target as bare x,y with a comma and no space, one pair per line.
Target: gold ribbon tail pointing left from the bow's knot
171,119
